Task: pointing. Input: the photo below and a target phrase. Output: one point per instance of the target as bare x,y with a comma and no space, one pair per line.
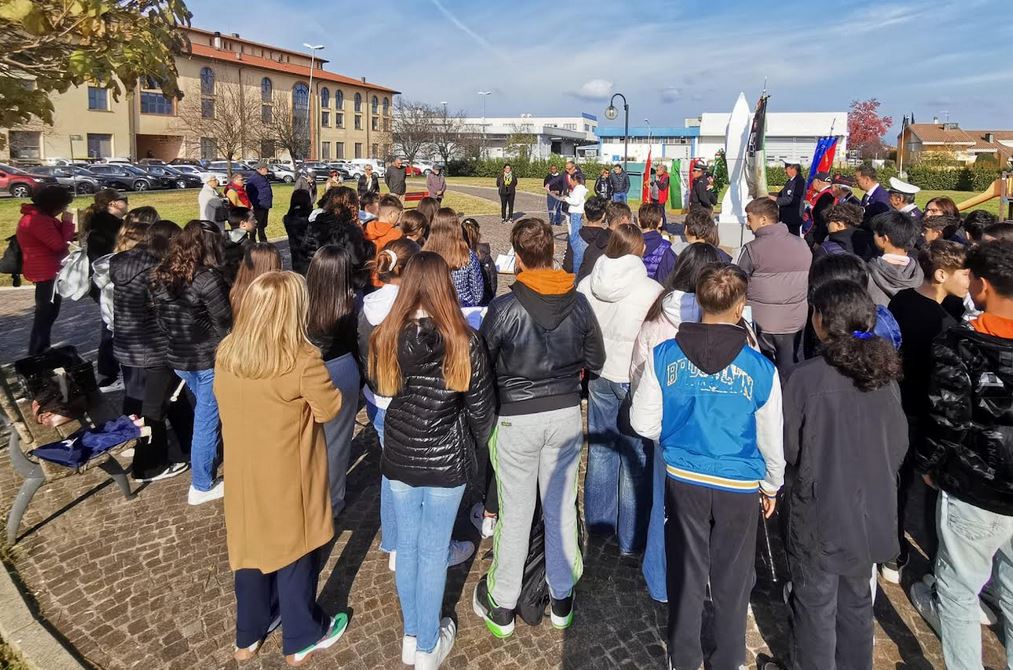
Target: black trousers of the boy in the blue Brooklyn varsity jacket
712,536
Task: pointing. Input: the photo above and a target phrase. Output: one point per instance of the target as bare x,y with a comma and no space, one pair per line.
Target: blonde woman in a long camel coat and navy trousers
276,394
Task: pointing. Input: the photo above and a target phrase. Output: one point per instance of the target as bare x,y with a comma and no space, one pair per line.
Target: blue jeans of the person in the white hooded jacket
617,486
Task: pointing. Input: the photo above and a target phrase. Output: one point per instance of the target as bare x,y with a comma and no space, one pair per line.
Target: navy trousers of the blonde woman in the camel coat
291,593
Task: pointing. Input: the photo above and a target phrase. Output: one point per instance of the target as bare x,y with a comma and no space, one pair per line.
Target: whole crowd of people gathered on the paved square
820,377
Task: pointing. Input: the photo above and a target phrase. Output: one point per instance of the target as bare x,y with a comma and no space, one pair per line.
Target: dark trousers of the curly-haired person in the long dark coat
831,619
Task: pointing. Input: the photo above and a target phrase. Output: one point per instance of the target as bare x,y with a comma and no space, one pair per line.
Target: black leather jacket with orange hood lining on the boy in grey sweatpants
538,345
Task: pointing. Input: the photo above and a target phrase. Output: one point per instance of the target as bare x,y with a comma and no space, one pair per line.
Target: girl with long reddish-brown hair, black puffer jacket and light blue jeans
435,368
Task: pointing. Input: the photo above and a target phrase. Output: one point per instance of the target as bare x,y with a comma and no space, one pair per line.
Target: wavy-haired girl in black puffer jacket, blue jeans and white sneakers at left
192,309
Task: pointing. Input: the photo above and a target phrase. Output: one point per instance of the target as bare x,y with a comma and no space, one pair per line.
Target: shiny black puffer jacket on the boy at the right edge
969,445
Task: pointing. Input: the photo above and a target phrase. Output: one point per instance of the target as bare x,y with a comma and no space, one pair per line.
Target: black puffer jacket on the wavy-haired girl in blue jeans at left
195,321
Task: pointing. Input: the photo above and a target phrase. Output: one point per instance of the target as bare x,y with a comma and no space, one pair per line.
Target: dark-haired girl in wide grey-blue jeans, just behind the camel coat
334,318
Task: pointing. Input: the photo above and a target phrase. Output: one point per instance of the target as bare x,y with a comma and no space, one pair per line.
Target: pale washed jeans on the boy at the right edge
970,539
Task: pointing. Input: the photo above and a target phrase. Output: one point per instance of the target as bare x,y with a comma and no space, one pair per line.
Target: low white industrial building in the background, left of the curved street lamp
551,135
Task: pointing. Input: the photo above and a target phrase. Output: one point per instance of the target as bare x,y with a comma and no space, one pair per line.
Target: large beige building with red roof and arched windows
347,118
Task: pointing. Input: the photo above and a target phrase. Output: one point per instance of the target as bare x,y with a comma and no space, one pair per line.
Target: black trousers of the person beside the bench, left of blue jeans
148,393
